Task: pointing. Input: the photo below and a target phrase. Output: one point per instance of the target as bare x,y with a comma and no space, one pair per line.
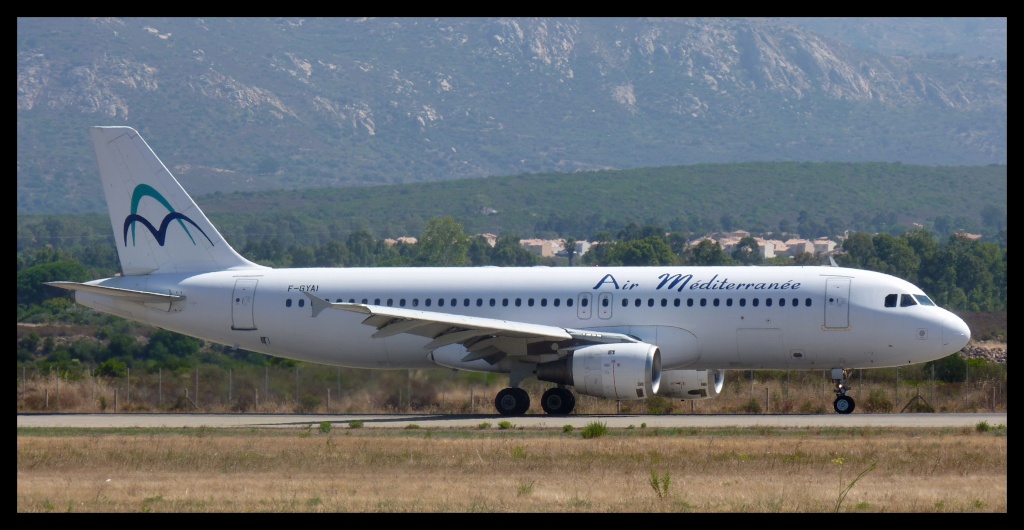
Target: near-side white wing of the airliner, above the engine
490,339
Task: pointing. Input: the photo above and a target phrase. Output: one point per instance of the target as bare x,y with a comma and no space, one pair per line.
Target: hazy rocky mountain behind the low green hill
248,105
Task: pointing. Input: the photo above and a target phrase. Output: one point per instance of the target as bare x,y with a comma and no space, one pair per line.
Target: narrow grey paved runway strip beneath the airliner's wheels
177,421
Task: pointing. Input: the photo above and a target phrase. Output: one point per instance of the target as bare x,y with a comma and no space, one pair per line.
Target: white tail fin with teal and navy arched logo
157,227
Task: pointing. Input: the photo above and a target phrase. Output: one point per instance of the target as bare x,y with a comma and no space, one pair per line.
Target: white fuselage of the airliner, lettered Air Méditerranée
701,318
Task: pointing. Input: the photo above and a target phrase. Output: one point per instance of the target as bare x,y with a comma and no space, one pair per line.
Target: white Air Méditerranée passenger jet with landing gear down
615,333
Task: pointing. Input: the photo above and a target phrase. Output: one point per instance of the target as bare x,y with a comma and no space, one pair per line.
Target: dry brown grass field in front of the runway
505,469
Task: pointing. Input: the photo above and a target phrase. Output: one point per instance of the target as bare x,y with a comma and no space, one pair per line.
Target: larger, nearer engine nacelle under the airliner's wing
622,371
